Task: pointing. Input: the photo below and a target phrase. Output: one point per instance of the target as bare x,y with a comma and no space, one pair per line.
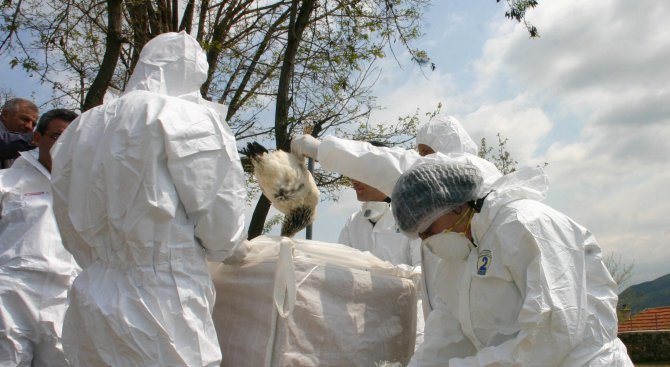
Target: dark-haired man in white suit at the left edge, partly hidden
35,269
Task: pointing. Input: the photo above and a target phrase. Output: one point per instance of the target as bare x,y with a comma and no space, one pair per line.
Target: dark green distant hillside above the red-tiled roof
655,293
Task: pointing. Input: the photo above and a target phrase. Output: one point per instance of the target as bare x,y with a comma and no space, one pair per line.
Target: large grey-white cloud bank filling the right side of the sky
605,64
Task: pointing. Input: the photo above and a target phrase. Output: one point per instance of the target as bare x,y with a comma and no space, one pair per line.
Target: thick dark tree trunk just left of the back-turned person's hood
113,42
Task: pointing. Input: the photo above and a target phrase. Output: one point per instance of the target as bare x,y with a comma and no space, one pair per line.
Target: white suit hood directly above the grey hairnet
444,134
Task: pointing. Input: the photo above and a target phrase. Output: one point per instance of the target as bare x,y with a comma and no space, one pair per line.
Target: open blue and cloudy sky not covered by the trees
590,97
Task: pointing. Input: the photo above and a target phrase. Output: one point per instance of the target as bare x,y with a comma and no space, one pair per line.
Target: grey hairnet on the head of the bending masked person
426,191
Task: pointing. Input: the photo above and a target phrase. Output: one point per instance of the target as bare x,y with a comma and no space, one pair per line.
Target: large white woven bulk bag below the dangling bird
308,303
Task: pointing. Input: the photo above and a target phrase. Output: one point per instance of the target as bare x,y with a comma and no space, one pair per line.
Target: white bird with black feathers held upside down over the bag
287,183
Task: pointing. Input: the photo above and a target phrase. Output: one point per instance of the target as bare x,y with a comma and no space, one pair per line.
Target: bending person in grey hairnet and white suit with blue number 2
527,284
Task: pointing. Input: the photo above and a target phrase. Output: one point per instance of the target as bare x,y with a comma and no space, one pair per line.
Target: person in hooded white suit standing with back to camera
146,188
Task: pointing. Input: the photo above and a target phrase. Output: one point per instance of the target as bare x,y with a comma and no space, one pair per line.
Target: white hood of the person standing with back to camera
171,64
